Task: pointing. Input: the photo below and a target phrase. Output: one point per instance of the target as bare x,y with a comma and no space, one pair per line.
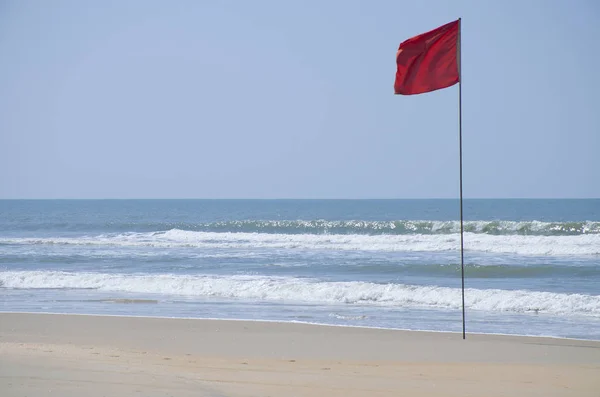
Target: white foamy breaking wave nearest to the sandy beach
259,288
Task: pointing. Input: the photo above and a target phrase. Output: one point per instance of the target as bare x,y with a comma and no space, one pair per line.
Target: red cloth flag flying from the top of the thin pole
428,62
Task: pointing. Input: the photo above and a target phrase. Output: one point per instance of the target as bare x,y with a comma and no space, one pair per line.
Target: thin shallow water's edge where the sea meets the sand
304,323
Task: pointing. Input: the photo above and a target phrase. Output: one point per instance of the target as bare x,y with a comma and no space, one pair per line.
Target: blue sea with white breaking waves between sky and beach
532,267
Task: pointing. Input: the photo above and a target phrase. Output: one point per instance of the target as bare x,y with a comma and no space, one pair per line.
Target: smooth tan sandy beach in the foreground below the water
75,355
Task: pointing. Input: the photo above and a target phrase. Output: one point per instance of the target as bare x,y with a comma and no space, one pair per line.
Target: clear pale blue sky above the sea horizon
294,99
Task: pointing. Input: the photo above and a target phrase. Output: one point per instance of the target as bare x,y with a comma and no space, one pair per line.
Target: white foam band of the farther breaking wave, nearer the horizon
535,245
